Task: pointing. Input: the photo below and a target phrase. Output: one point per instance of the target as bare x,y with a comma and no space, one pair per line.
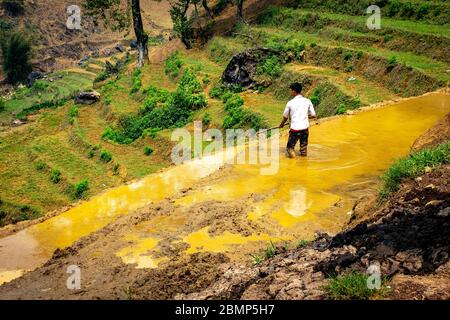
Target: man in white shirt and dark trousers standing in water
299,110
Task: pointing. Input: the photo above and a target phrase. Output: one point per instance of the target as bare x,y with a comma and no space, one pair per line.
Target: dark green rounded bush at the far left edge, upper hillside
16,58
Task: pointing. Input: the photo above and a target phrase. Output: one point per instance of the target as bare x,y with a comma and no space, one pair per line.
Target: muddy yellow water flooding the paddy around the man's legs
345,157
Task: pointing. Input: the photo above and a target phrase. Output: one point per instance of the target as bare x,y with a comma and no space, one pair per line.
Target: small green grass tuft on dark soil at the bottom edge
352,286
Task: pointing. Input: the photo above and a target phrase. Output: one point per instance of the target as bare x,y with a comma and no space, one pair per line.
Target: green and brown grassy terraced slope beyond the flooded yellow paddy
343,65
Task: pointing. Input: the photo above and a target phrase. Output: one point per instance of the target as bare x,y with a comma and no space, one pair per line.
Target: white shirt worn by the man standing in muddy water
299,109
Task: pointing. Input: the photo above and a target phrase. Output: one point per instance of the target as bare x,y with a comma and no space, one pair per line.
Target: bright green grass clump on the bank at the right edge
413,166
